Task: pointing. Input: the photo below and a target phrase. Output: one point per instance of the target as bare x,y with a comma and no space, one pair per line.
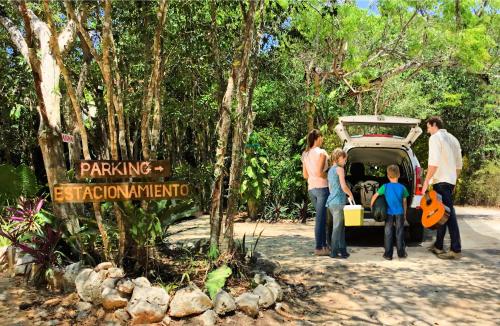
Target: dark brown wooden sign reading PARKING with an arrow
122,169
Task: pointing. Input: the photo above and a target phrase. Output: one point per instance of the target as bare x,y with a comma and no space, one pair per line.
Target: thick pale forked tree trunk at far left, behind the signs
46,79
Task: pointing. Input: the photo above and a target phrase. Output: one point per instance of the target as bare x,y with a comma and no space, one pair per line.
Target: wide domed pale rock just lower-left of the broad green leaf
189,301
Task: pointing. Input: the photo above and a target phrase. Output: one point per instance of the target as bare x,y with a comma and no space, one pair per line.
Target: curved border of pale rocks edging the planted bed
106,289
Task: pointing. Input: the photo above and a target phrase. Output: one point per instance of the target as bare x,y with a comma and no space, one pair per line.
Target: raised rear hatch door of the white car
378,131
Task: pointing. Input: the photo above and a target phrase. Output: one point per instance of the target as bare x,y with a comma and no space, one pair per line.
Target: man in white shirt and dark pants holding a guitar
445,163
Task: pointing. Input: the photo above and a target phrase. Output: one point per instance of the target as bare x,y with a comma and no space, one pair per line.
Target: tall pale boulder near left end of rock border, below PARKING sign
88,285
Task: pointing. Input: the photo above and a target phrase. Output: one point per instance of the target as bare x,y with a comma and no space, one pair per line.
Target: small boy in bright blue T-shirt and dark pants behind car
395,196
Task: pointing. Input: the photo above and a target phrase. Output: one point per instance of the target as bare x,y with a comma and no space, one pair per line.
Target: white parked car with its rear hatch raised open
373,142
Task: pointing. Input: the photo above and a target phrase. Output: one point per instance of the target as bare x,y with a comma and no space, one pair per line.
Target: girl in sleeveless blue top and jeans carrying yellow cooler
336,202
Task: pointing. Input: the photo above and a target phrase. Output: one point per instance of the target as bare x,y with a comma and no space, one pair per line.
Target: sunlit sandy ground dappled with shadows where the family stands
368,290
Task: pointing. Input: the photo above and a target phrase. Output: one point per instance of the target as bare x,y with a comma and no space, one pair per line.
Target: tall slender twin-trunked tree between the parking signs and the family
240,76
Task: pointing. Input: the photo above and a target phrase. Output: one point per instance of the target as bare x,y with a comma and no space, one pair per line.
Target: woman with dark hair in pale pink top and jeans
314,165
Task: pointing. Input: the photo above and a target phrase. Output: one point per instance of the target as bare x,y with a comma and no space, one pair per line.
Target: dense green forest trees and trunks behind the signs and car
226,90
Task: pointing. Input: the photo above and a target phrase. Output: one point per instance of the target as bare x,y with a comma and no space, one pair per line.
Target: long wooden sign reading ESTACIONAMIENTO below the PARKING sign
97,192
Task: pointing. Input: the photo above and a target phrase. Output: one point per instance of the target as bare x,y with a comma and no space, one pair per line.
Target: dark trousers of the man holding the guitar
446,191
